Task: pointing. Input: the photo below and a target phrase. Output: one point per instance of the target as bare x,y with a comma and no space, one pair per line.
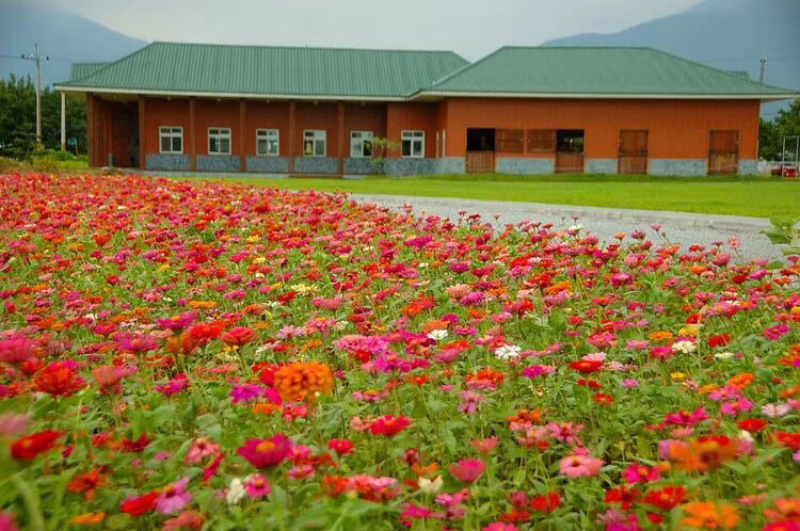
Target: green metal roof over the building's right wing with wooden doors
597,72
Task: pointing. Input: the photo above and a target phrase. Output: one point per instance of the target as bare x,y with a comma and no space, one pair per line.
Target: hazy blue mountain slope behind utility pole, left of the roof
63,36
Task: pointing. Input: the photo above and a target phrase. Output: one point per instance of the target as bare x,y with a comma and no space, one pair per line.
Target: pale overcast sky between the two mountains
469,27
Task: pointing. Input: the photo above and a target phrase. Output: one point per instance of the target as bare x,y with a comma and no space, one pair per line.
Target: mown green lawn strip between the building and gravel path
743,196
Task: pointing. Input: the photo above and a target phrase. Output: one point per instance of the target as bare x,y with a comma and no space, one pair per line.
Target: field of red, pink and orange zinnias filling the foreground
184,355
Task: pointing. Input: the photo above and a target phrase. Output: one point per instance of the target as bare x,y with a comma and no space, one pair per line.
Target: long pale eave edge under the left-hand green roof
230,95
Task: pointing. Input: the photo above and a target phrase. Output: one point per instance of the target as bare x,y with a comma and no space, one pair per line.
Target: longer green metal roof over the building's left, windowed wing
270,71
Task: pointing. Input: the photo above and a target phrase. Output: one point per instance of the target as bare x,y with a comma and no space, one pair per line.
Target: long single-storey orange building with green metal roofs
534,110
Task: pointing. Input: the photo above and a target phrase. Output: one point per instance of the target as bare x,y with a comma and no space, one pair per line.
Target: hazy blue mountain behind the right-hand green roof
725,34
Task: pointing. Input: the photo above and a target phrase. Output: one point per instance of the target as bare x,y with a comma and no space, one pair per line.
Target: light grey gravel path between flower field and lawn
683,228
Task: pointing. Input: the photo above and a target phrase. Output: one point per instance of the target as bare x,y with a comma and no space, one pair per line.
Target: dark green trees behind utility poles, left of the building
18,119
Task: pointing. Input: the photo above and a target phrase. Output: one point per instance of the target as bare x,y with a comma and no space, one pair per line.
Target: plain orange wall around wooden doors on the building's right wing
678,129
